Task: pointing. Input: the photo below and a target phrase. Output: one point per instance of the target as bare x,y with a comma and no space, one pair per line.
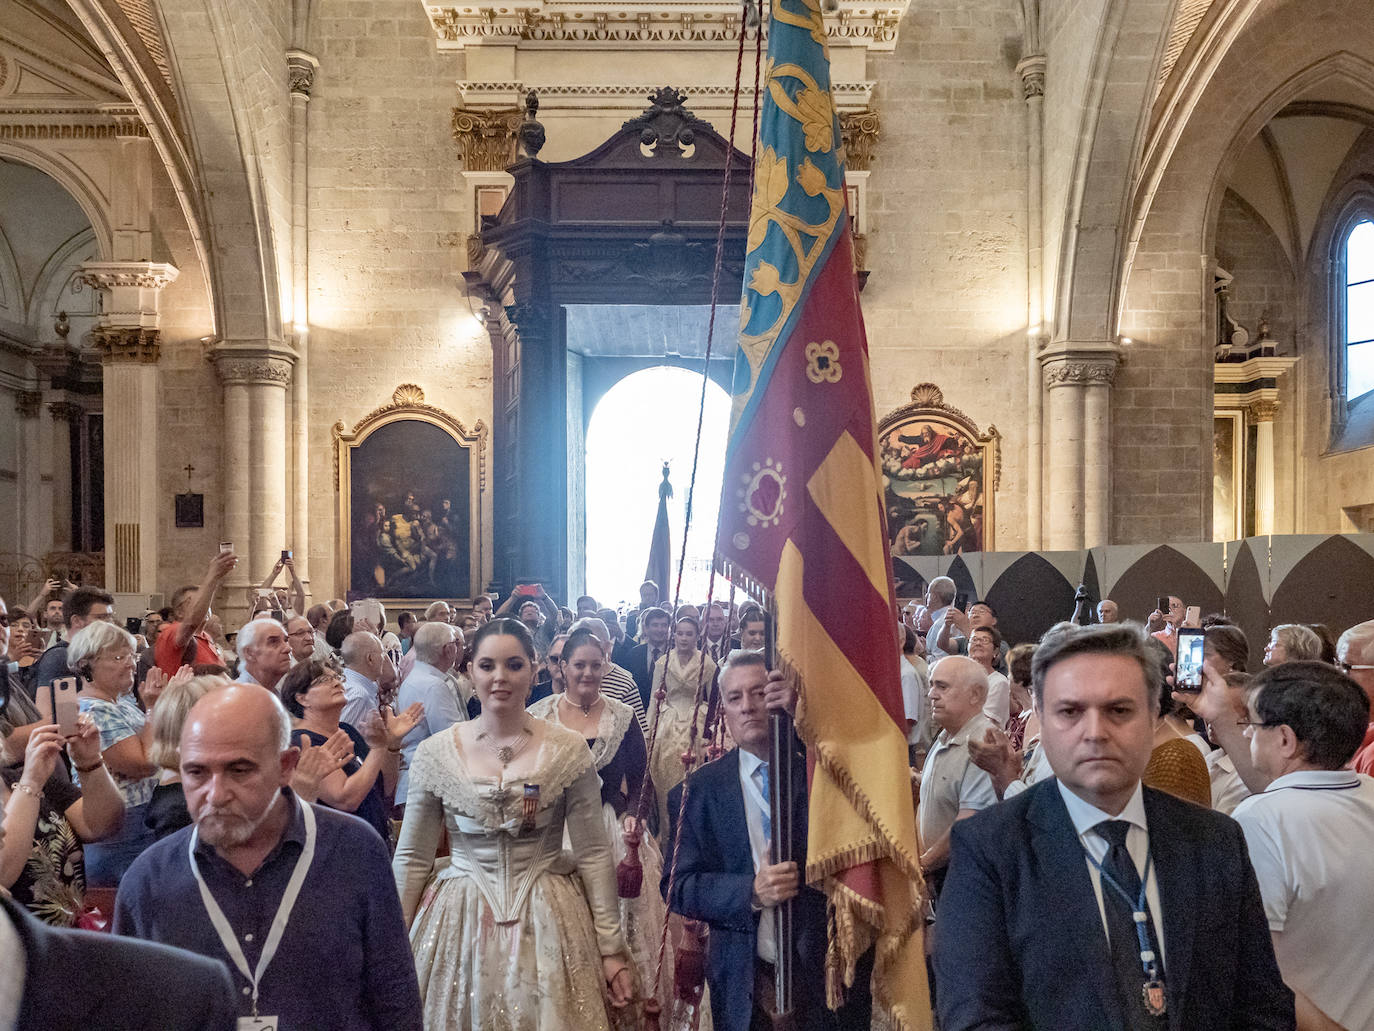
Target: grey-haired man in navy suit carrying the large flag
725,879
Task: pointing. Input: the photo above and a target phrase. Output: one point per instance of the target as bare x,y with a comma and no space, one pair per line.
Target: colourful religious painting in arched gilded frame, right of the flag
939,476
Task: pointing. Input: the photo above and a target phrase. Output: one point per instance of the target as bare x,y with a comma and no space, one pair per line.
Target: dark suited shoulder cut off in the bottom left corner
75,981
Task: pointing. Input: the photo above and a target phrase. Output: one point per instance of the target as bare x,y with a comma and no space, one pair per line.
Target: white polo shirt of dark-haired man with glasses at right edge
1311,841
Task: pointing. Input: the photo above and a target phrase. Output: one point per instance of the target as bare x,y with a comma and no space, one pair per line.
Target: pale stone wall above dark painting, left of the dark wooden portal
388,222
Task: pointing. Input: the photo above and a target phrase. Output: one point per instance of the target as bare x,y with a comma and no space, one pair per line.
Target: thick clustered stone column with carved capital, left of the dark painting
255,461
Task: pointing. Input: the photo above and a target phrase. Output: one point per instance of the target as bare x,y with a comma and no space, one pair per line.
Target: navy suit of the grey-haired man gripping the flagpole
715,883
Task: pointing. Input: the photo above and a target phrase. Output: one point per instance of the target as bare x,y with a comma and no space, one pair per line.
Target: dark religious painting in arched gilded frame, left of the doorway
409,485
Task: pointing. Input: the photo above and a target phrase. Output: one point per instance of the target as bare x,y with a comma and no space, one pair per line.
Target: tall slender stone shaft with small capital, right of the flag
1033,89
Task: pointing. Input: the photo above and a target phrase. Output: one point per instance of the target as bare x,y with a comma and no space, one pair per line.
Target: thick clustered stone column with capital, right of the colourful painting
1079,377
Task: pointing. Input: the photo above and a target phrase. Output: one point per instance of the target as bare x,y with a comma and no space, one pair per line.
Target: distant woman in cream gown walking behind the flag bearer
682,673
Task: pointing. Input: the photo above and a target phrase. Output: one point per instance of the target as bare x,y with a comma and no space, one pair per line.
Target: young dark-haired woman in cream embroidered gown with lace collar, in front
515,934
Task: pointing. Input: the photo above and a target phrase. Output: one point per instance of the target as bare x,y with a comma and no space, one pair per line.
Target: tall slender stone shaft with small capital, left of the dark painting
302,68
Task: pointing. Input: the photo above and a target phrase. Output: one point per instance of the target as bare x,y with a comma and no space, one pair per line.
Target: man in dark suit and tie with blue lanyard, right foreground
1044,922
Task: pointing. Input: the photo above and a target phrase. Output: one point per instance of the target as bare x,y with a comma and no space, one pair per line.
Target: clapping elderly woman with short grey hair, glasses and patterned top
105,656
